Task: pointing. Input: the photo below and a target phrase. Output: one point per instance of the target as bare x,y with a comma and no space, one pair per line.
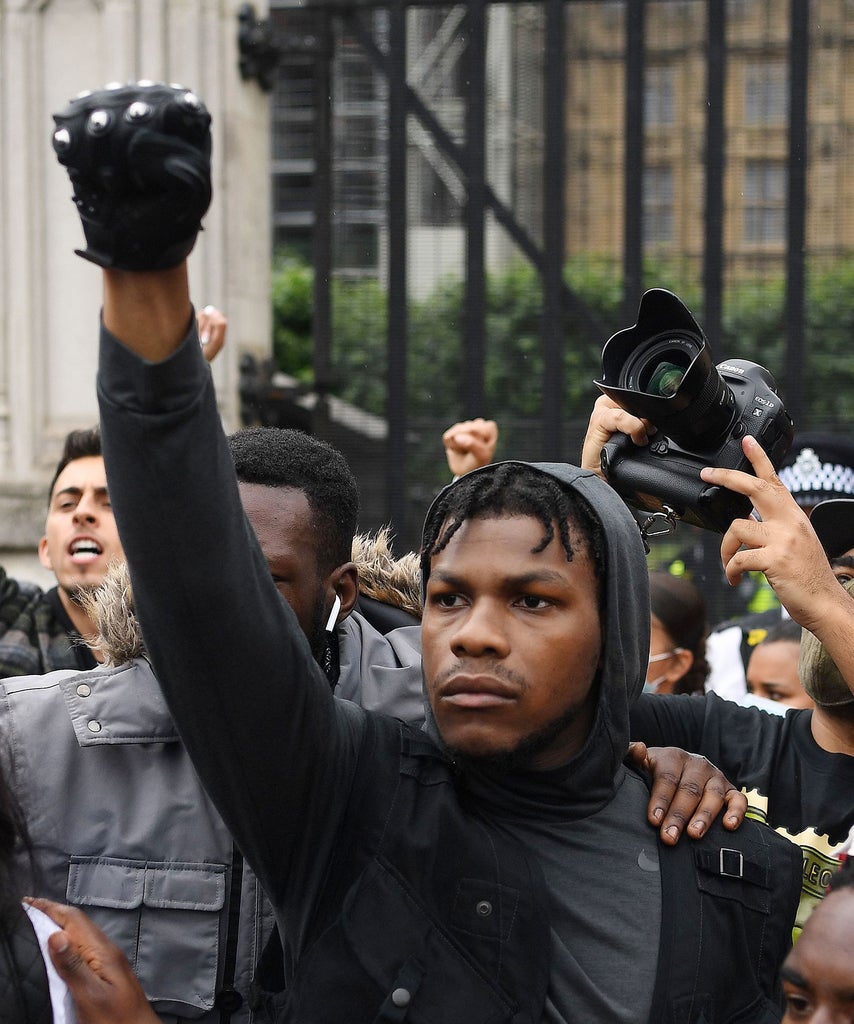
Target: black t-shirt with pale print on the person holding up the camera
804,793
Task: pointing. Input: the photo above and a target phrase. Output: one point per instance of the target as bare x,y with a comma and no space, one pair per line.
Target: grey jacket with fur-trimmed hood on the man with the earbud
120,824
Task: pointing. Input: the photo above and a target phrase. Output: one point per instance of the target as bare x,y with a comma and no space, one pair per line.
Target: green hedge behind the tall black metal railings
753,329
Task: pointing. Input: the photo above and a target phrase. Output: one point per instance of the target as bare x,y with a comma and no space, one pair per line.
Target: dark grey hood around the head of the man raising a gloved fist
625,630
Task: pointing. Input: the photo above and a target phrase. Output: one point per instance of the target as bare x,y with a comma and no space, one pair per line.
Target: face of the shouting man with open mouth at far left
81,538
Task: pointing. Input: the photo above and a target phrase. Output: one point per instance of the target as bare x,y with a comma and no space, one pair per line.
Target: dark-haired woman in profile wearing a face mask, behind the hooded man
677,636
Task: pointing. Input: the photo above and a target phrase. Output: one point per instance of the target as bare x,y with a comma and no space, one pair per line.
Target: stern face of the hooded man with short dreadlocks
511,644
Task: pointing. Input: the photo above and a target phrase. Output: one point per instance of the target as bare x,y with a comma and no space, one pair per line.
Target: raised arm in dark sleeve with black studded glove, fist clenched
252,707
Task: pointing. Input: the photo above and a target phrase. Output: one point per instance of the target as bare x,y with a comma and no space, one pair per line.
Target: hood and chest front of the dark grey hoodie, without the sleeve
586,822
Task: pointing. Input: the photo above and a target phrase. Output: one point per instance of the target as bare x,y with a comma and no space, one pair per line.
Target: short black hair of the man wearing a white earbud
277,457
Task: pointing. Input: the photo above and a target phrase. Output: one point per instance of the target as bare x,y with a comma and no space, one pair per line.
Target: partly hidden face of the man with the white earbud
283,522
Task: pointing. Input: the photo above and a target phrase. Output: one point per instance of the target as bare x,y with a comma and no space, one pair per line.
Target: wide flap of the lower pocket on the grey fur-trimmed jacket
124,885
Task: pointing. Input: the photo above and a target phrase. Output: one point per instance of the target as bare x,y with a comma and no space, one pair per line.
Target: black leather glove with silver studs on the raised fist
139,157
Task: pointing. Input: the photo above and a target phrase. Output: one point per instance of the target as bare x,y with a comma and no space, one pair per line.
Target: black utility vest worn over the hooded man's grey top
433,917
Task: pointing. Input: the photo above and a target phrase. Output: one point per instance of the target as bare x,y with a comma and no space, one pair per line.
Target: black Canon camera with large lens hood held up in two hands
662,370
